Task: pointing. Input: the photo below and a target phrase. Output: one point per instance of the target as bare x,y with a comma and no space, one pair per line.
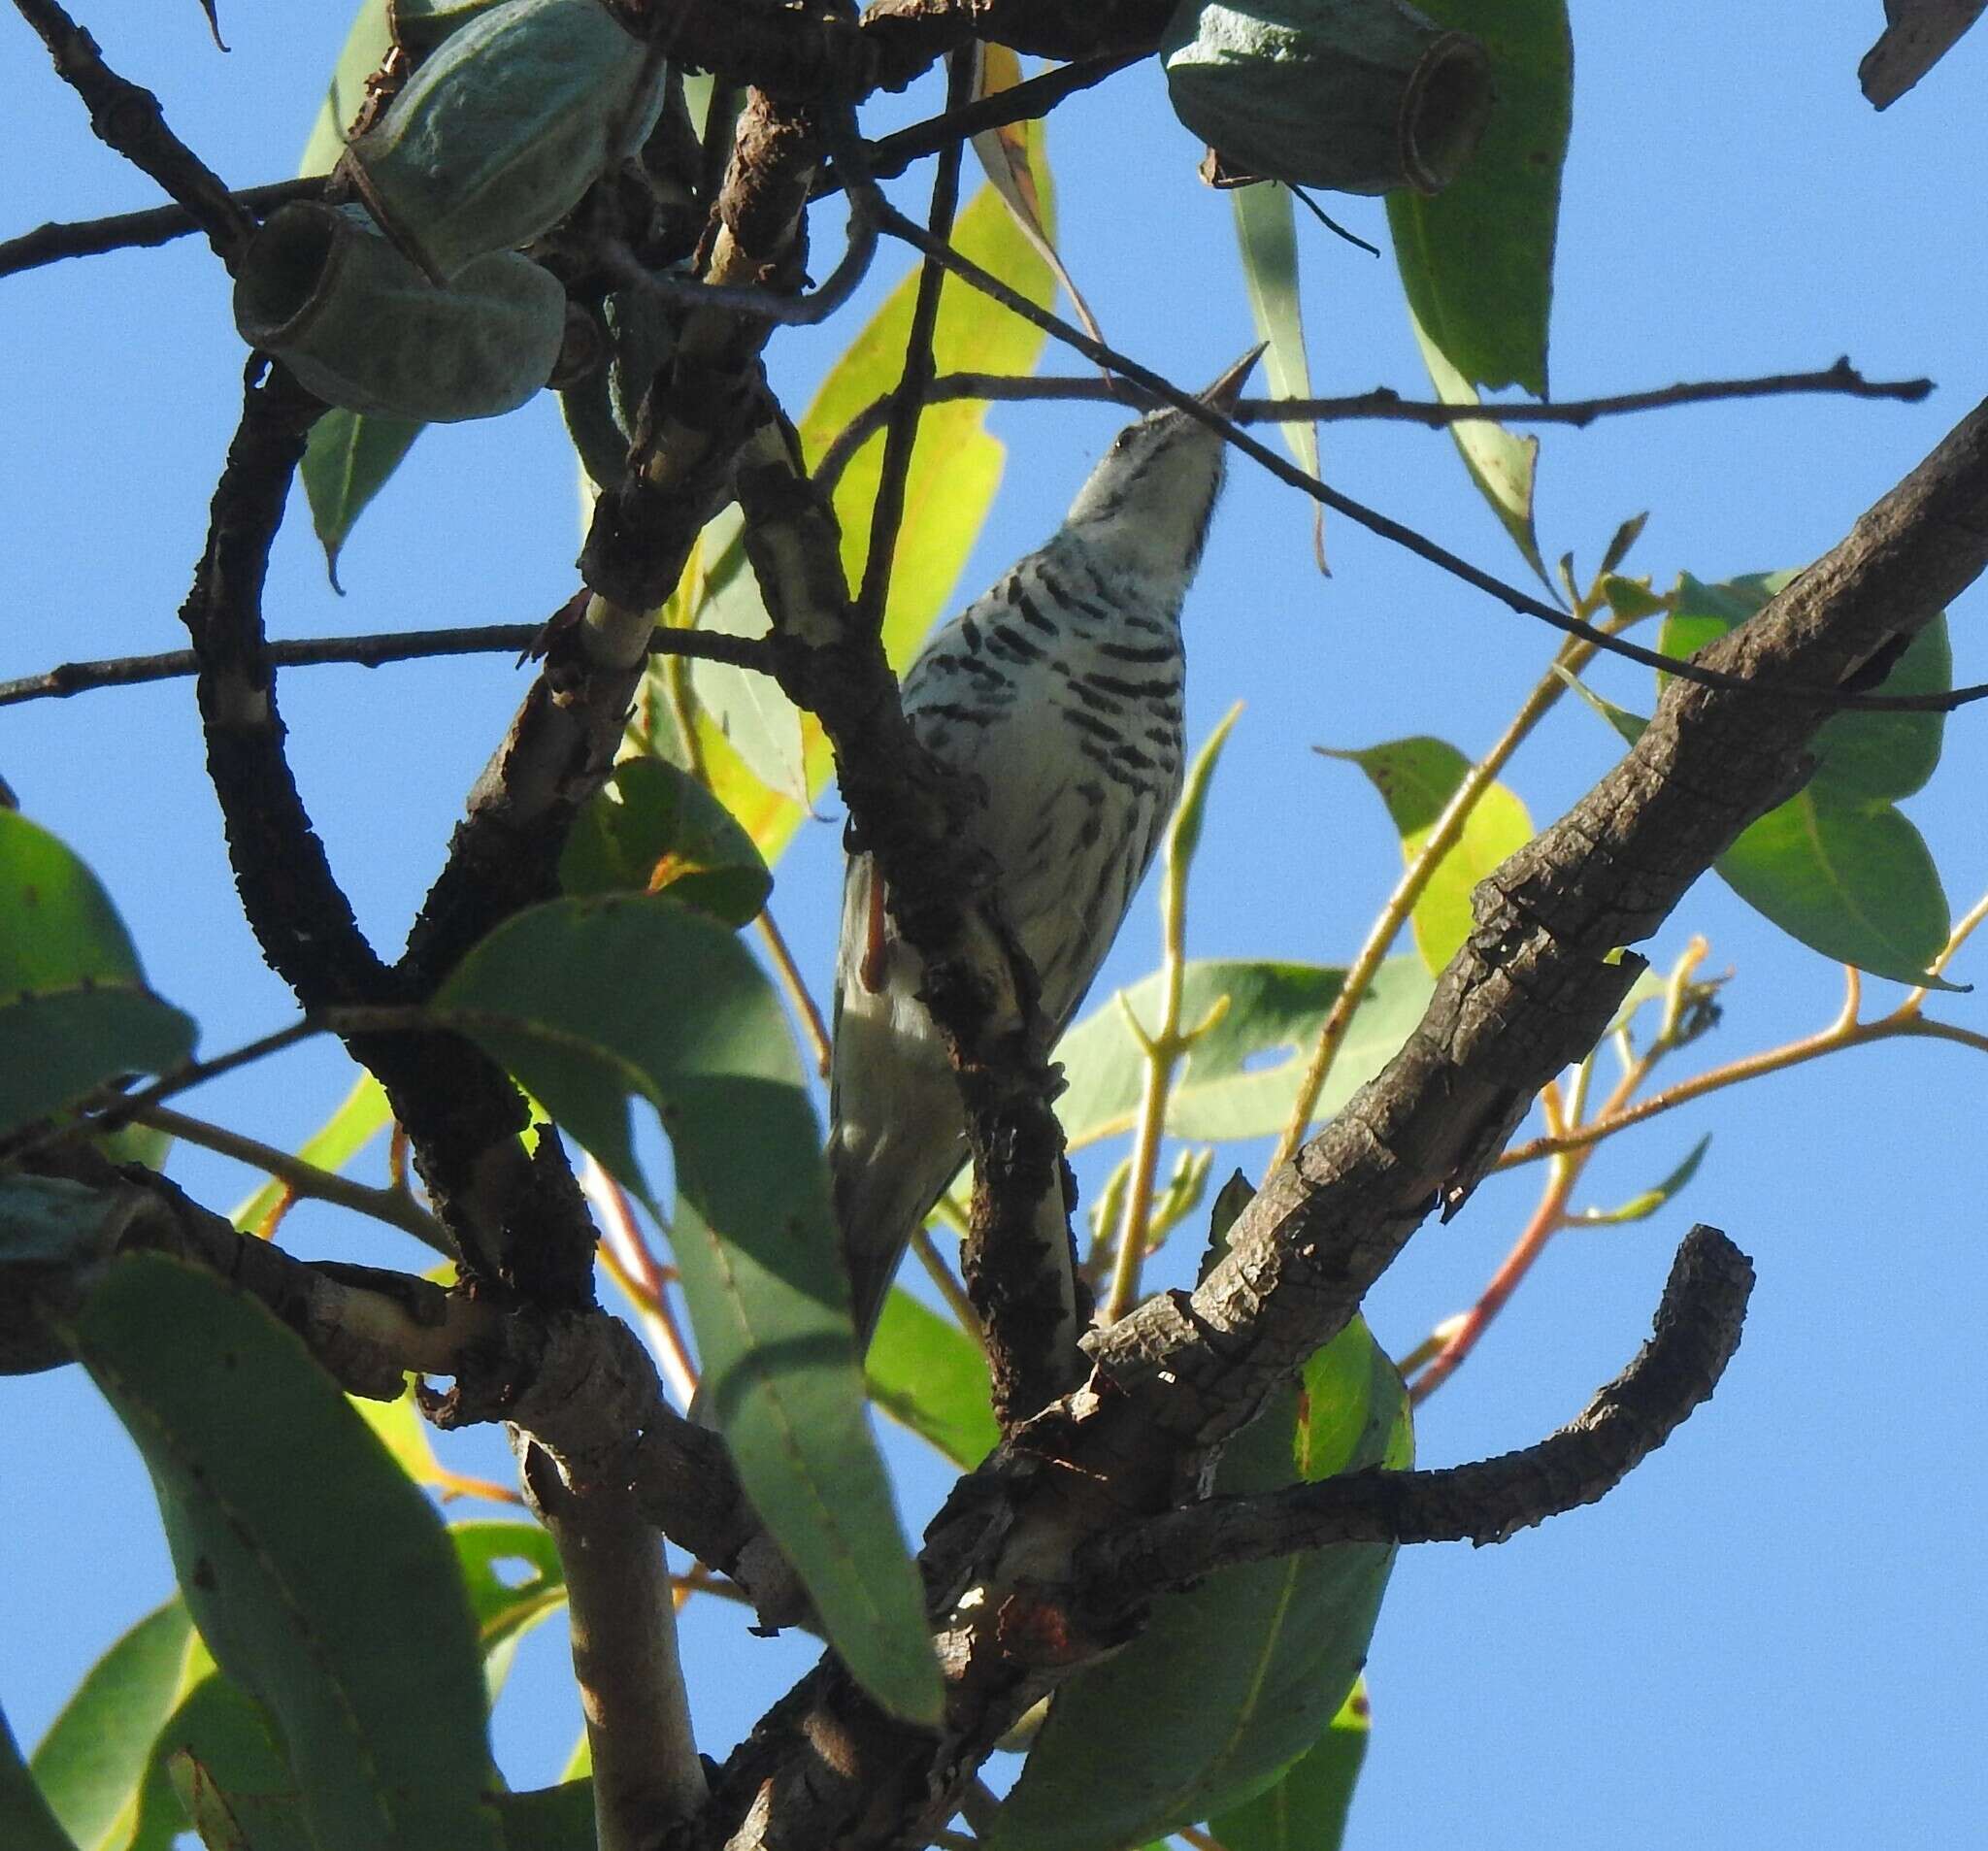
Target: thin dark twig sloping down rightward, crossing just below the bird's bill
898,226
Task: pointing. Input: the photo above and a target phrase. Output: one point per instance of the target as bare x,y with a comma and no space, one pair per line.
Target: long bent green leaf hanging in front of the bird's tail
595,1003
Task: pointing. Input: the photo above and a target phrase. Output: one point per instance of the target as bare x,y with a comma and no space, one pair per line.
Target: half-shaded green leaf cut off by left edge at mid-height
75,1007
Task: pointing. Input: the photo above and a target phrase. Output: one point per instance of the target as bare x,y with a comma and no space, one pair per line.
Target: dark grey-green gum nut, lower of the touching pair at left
365,329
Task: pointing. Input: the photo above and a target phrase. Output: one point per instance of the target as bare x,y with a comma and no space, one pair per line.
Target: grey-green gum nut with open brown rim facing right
1361,96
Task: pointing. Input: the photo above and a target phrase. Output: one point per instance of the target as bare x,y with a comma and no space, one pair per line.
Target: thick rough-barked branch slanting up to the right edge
1542,973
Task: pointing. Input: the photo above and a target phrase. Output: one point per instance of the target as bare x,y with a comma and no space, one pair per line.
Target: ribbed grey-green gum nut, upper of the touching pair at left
504,128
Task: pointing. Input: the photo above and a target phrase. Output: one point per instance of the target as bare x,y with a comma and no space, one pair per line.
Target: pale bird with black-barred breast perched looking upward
1059,699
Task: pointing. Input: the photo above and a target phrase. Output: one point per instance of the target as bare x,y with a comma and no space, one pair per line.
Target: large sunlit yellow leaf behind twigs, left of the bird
953,474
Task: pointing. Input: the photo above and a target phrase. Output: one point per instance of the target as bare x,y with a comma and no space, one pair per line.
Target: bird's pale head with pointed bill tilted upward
1152,494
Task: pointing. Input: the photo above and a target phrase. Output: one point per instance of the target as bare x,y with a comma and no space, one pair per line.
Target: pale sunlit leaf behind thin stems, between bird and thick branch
1228,1085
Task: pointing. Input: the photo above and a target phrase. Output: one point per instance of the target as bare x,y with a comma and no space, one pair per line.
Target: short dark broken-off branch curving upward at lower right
1697,1335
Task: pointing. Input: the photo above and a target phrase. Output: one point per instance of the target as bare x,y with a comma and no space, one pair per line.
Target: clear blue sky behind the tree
1774,1631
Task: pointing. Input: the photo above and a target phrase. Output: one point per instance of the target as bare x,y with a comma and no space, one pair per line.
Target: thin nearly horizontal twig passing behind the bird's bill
1379,405
